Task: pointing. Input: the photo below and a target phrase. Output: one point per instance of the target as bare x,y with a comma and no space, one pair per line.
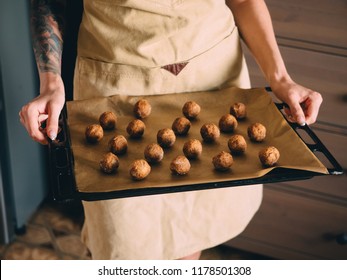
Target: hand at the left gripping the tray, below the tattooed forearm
45,107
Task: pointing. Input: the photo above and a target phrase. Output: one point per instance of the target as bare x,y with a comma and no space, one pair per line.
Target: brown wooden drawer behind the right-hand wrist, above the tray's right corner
321,72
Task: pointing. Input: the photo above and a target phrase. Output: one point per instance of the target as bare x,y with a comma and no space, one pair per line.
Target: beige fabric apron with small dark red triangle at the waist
150,47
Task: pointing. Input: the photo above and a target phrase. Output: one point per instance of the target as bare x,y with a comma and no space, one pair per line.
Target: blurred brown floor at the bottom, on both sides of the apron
53,233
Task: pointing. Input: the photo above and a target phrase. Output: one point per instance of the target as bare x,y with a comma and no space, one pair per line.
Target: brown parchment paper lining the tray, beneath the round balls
165,108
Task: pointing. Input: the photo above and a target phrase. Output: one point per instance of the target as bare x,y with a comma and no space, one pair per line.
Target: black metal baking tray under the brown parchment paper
64,187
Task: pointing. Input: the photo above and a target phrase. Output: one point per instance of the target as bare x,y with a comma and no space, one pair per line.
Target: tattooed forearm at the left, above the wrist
47,28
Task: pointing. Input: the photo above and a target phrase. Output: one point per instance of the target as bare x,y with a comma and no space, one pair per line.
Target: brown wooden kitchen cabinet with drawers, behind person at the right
308,219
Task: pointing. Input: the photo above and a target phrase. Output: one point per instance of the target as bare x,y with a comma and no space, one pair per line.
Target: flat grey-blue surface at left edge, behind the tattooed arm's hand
24,159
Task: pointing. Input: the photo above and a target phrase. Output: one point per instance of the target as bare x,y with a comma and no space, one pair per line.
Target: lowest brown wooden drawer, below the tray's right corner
290,226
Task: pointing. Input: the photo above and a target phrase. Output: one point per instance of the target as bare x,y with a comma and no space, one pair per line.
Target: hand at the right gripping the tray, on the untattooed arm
303,103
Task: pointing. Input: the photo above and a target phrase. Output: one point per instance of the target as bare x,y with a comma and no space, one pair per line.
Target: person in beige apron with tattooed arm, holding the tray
155,47
